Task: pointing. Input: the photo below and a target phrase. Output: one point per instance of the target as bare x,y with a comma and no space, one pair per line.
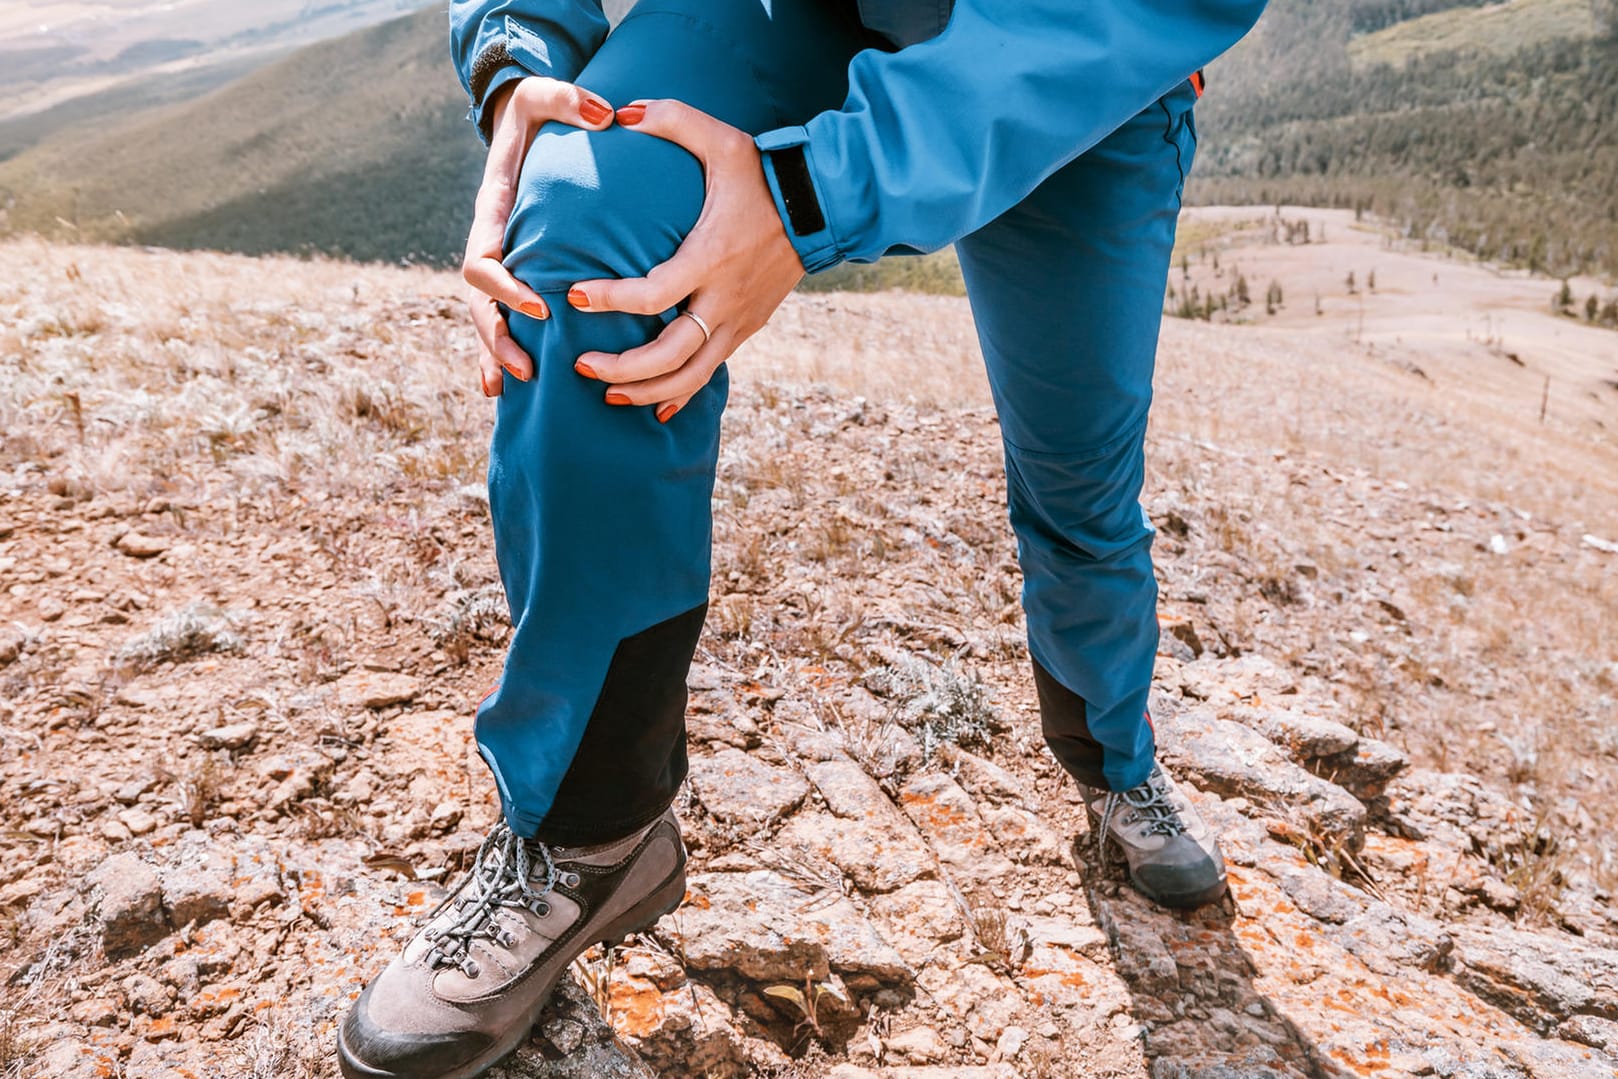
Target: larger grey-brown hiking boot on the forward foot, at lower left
472,983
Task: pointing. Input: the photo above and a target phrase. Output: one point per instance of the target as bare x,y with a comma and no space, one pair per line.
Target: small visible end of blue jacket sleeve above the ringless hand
499,41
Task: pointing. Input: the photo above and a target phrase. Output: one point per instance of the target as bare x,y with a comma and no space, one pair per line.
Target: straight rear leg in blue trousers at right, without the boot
1069,295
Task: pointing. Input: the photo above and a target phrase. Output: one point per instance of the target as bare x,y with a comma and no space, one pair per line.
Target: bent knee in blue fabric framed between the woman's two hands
608,203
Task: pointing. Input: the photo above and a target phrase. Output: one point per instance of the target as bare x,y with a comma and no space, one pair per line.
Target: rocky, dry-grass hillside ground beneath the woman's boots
250,606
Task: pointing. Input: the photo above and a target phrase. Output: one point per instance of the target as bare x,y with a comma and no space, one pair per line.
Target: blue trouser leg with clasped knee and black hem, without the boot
601,514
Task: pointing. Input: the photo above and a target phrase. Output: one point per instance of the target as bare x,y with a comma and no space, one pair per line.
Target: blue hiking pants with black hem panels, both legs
603,515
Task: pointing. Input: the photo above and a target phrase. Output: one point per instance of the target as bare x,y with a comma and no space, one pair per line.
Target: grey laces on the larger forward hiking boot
501,878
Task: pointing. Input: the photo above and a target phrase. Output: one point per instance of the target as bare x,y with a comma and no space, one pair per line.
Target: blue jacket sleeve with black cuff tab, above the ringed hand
941,138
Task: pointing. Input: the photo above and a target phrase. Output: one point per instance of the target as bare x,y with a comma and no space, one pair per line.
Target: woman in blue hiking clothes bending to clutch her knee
622,258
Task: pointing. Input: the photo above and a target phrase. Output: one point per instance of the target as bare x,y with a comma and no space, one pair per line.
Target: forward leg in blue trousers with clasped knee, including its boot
603,536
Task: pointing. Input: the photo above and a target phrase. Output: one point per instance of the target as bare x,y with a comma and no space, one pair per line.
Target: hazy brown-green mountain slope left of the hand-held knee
355,146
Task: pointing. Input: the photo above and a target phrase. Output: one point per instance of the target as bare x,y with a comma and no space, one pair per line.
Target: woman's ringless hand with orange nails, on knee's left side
519,112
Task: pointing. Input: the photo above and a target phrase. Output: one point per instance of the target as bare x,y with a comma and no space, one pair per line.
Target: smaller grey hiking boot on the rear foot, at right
1174,857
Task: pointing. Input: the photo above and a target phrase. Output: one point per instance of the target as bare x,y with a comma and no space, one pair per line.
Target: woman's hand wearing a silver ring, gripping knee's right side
732,271
